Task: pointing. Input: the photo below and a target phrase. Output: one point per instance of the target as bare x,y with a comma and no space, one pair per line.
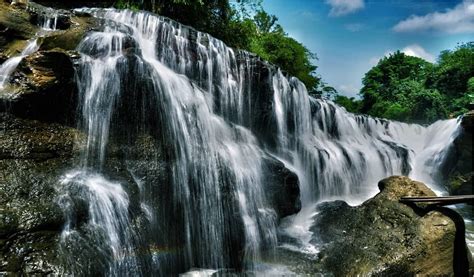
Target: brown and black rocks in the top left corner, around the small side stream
42,86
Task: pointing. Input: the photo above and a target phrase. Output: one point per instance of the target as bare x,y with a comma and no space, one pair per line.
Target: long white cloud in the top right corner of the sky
459,19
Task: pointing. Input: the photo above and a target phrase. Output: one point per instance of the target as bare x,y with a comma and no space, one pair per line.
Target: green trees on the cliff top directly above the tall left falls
244,25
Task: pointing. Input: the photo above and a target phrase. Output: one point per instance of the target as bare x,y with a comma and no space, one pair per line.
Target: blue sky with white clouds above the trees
350,36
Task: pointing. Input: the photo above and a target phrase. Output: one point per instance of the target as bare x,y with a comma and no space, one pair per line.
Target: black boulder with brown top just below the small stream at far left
43,88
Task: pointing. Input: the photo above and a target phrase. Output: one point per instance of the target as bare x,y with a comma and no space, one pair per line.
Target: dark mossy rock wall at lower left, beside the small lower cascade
32,157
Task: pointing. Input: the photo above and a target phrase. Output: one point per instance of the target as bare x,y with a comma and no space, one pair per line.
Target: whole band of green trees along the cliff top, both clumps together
399,87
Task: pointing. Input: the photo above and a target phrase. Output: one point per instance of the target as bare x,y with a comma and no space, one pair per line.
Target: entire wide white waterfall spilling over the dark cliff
217,116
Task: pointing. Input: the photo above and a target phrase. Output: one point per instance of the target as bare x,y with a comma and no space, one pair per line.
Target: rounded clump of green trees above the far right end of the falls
406,88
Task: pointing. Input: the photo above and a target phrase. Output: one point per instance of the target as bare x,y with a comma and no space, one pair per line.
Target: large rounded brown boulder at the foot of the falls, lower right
383,237
